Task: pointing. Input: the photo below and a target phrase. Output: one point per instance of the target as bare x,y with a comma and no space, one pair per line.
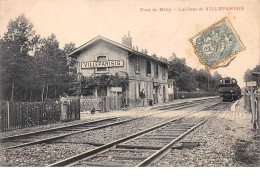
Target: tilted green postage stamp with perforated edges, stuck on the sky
217,45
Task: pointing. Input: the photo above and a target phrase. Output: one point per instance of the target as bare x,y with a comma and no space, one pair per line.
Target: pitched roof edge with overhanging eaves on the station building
98,38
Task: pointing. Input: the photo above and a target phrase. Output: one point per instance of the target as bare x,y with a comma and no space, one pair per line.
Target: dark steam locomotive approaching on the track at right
228,89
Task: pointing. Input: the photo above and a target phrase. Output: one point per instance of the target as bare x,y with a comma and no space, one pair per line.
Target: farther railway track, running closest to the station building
49,135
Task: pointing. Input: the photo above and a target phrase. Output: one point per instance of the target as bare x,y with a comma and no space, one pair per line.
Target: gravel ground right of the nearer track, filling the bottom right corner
221,139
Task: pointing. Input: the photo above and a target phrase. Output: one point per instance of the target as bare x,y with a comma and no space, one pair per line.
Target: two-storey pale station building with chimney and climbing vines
147,74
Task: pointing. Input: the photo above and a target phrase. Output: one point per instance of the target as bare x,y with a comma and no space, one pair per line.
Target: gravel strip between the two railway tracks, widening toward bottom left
49,153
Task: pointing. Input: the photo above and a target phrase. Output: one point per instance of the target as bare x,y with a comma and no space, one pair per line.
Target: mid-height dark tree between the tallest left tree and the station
53,67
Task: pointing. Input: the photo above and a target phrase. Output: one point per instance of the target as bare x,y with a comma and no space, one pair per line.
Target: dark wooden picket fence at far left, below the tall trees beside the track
18,115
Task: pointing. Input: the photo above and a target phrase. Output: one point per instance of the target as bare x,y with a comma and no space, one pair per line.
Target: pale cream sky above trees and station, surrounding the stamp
161,32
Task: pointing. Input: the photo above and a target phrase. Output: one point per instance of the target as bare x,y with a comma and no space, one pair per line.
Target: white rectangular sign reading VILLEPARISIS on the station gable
102,64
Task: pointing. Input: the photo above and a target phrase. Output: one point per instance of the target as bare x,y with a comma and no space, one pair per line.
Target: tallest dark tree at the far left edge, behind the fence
17,46
